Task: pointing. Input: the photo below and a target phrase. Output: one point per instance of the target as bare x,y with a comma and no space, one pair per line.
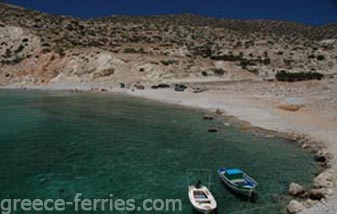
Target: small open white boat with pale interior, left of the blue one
201,199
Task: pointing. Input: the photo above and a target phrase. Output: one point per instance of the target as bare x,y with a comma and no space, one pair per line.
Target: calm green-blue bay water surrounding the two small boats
55,144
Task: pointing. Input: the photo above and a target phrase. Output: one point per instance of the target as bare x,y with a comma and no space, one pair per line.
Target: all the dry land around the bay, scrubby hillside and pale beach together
225,64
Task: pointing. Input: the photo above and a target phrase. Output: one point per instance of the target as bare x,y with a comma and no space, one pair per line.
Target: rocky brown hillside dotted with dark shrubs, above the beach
38,48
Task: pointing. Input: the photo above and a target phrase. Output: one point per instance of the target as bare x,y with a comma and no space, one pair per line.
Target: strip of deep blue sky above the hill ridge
314,12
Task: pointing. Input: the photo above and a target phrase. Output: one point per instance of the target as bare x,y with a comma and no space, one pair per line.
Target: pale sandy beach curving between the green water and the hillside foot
315,115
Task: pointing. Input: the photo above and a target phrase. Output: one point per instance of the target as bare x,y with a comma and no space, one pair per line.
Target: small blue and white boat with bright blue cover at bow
238,181
